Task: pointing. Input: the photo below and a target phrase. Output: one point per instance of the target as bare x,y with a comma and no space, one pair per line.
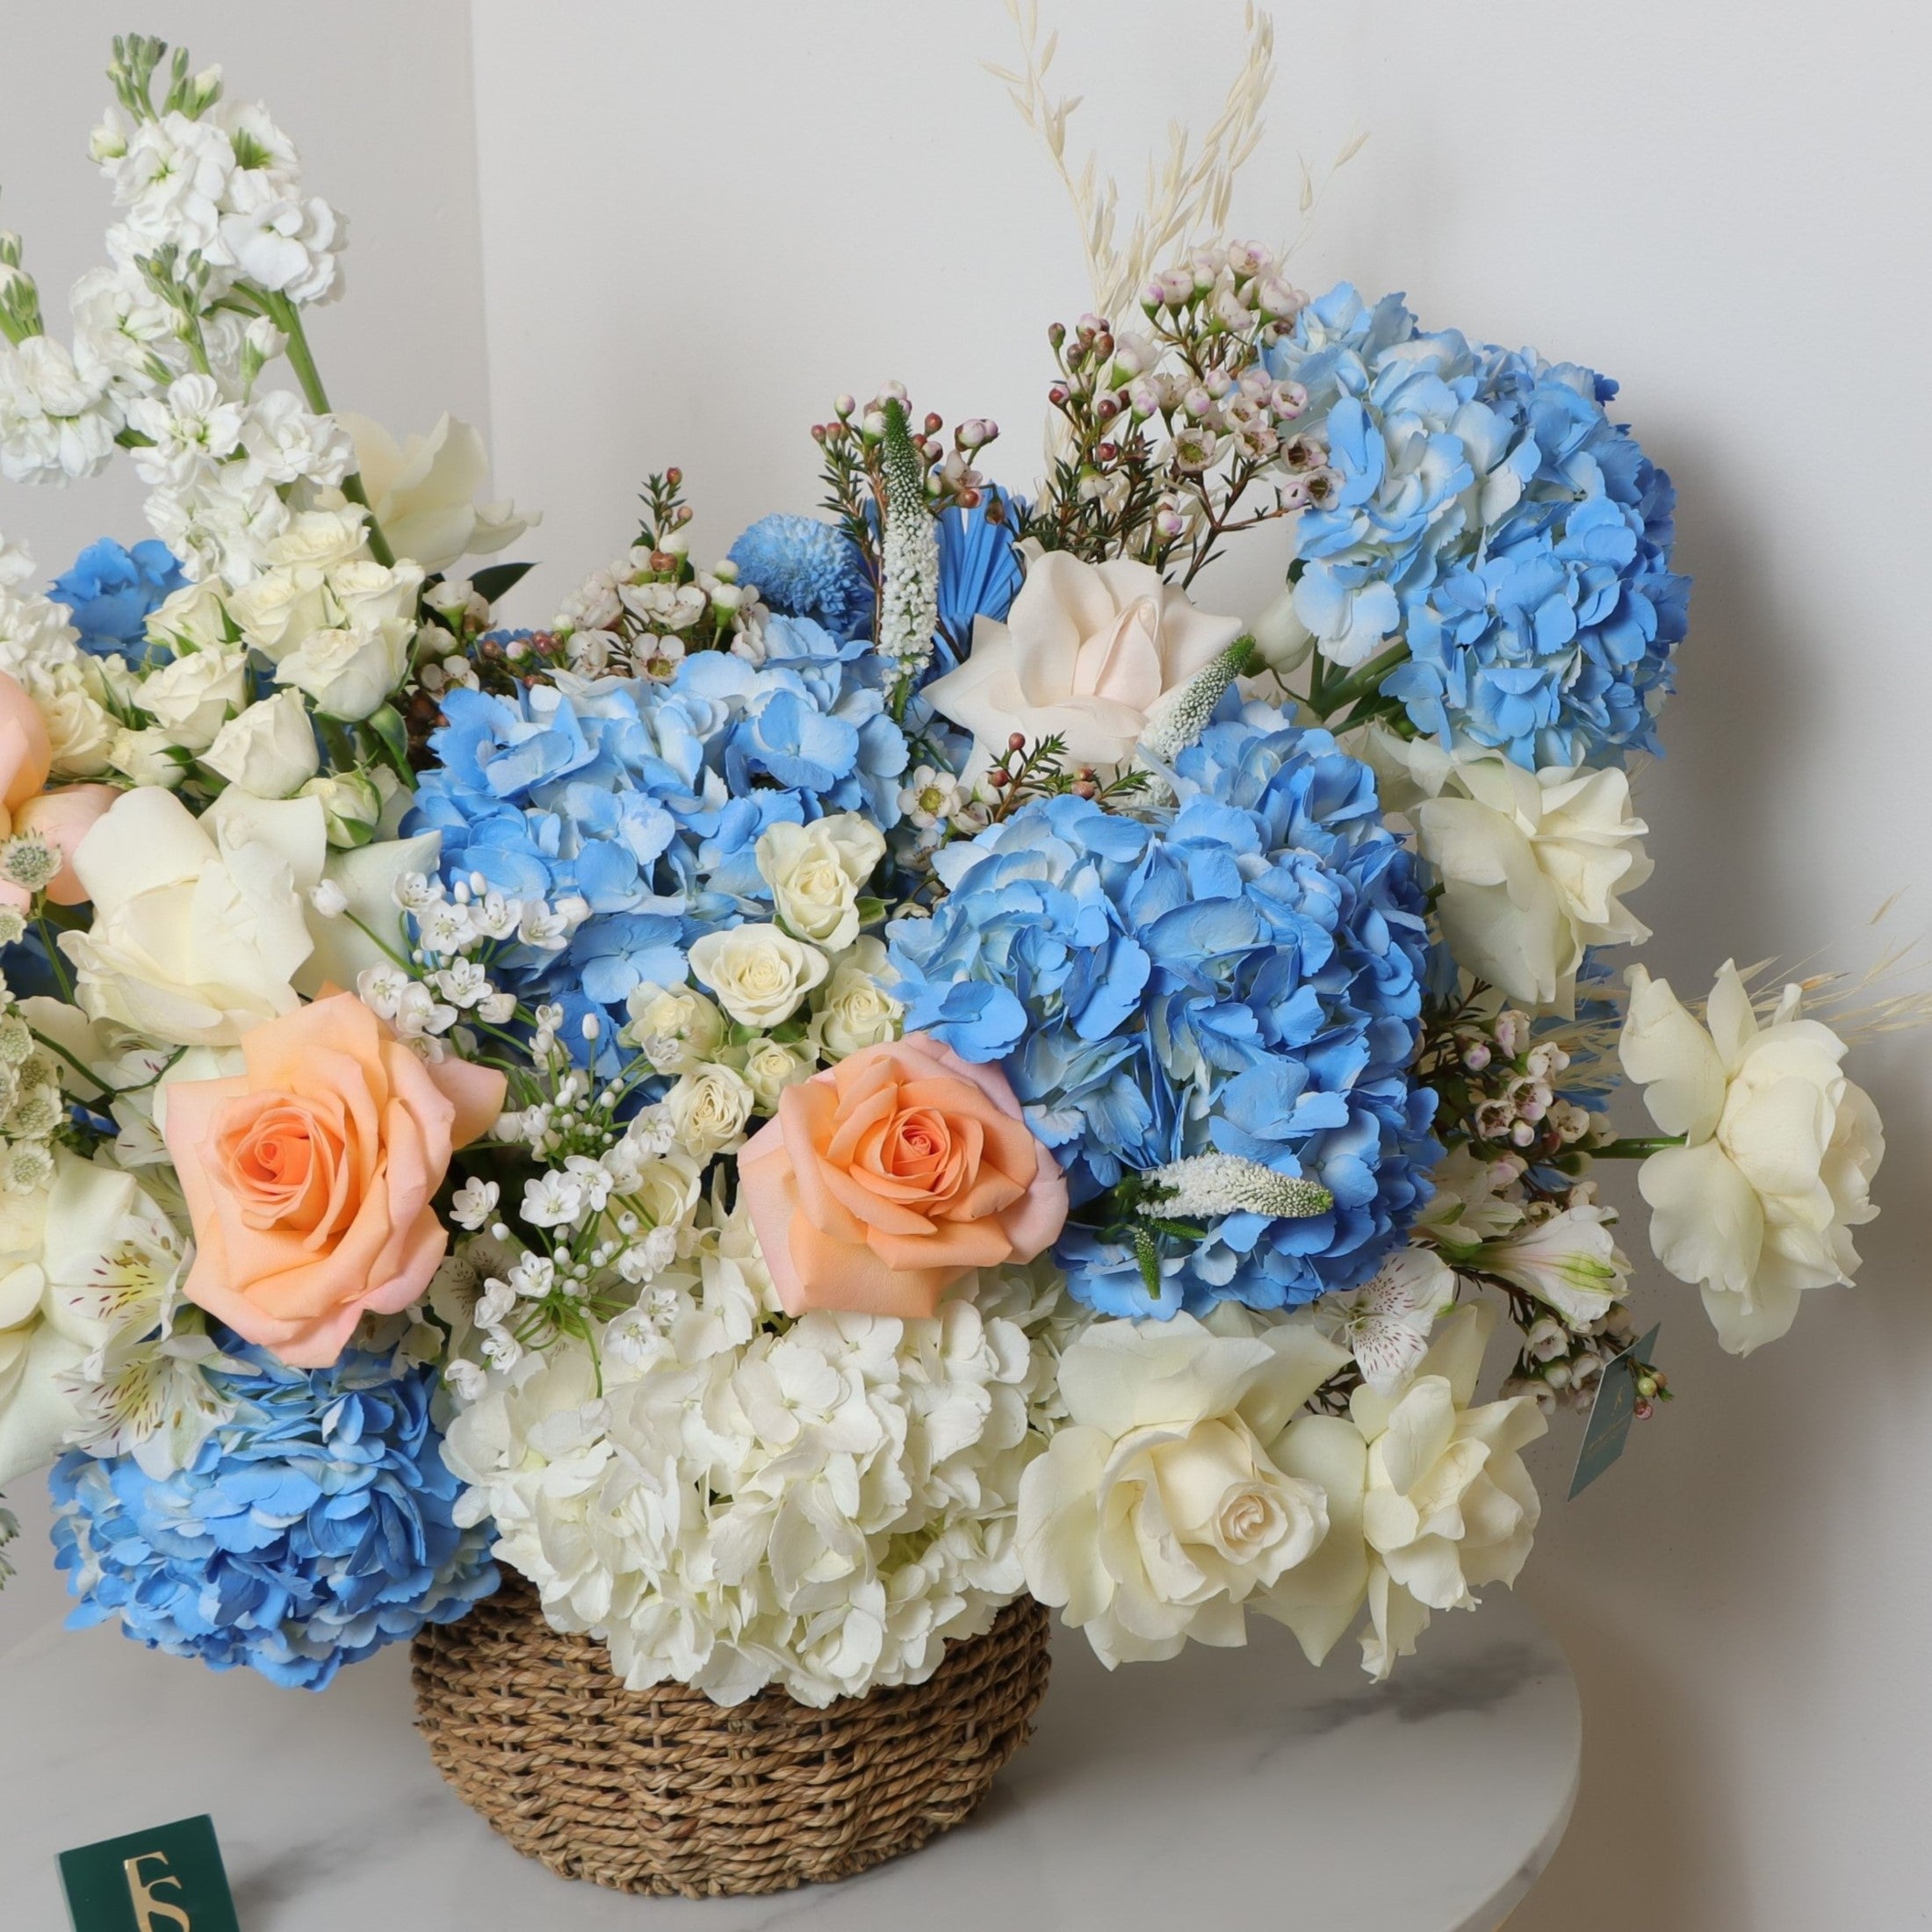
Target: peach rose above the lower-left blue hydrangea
310,1176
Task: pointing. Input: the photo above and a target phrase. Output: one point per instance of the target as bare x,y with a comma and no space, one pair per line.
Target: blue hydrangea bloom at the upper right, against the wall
1494,519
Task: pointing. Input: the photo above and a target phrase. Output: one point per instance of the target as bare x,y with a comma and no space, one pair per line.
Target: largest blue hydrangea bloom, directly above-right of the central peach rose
1241,975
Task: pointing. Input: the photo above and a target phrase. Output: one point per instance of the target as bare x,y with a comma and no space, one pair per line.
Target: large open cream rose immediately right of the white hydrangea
1160,1512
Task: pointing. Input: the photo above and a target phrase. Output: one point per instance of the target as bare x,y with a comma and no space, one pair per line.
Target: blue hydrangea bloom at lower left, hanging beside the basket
312,1529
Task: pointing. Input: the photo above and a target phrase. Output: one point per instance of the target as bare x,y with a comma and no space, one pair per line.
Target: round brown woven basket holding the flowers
668,1792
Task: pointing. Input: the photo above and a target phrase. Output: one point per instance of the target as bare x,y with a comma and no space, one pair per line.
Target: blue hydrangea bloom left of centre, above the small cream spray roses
648,799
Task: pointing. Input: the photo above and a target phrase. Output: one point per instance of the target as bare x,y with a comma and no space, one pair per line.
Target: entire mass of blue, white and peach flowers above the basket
809,1098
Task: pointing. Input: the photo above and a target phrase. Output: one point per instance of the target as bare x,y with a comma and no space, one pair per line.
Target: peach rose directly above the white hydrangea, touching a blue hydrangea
894,1174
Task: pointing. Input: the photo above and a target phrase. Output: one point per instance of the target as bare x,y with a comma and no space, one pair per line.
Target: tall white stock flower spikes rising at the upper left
213,256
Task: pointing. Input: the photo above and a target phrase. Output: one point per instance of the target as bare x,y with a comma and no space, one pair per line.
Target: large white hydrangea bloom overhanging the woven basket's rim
735,1502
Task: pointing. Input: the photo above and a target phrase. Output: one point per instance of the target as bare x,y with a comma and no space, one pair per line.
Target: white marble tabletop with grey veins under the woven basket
1220,1790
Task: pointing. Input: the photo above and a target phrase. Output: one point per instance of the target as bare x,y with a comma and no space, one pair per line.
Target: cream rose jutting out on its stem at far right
1778,1160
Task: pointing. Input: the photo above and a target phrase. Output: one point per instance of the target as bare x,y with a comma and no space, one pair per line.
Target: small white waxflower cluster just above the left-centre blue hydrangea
648,610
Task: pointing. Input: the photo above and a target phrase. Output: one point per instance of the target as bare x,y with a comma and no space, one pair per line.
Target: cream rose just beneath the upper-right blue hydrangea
1531,865
